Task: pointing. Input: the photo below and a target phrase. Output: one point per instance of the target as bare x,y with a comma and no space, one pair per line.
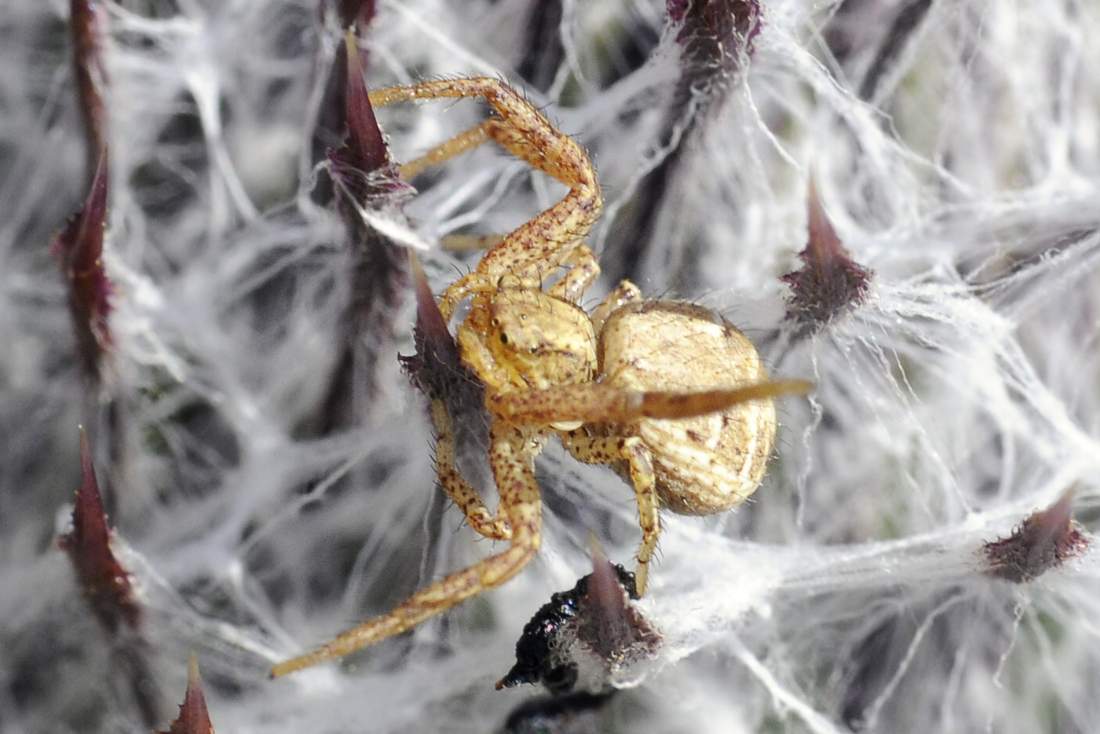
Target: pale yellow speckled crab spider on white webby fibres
655,389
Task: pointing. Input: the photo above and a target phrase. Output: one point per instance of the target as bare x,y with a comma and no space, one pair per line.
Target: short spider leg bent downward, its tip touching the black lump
611,450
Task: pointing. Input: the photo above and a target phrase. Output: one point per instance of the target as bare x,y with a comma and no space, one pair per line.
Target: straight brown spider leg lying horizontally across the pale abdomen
606,403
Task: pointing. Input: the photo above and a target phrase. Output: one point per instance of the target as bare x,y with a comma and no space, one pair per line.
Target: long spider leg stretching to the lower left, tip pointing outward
513,468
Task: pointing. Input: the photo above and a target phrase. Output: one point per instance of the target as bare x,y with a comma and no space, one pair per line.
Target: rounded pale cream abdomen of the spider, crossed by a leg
707,464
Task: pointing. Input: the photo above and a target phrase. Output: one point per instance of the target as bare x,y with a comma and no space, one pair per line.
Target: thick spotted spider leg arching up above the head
546,242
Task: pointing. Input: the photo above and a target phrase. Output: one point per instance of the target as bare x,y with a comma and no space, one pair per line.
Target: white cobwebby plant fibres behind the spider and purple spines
268,491
